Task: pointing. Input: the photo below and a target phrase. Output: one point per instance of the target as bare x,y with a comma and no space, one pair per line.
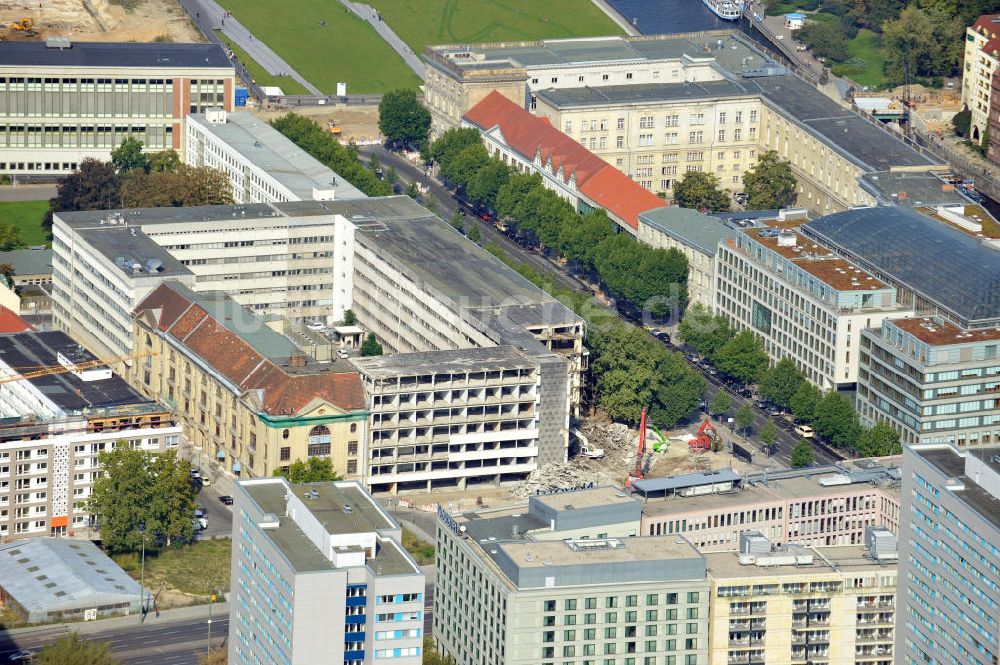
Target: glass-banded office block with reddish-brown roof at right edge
933,381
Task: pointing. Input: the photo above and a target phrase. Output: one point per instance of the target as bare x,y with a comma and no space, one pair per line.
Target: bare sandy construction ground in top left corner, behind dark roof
96,21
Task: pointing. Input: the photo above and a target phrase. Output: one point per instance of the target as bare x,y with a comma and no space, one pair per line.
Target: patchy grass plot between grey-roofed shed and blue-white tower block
199,568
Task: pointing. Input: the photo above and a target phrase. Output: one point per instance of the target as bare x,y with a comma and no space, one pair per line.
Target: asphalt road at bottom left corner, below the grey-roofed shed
149,643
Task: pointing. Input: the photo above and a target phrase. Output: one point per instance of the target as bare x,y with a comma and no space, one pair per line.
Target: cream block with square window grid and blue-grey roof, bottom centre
567,579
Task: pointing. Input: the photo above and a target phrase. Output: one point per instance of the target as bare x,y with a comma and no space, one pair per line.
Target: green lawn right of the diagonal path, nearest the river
423,22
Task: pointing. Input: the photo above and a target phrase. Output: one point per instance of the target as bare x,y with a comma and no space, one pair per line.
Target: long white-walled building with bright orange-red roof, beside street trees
532,144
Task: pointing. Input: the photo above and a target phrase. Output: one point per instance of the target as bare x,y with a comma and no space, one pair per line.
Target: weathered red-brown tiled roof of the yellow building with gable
281,392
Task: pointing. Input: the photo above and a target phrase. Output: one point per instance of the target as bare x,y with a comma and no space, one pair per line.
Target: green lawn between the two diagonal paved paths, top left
326,44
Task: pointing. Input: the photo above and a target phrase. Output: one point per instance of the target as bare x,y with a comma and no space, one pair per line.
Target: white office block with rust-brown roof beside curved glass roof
804,301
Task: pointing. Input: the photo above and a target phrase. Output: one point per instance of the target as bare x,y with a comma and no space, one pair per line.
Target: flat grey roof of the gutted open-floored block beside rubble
438,362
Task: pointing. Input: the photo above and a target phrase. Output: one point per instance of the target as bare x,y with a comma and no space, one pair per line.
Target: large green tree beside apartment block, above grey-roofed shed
139,487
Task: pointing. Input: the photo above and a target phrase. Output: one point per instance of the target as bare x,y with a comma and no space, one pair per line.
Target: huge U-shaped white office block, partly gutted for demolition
411,279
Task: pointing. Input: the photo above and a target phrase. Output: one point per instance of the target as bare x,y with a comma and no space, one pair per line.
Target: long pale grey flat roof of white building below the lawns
268,149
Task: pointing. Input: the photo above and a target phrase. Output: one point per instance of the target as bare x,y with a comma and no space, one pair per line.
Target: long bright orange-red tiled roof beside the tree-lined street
597,180
